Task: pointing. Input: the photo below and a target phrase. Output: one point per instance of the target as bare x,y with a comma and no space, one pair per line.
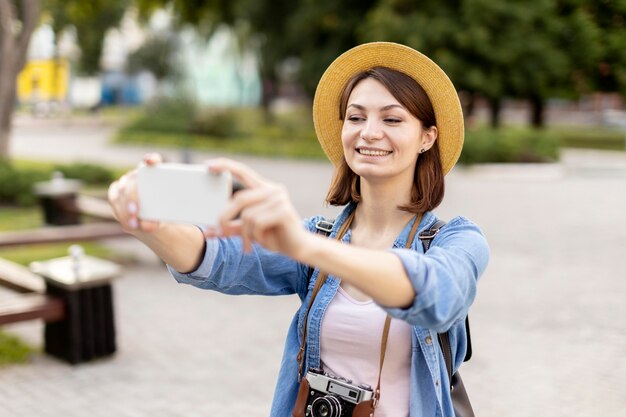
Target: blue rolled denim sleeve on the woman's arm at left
227,269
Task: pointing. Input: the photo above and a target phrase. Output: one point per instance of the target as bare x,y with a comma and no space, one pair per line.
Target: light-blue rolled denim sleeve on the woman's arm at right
445,277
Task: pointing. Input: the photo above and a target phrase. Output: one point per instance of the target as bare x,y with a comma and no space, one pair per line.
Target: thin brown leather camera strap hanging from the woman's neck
318,284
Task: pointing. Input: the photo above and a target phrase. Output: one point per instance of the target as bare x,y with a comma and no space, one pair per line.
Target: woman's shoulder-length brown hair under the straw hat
428,179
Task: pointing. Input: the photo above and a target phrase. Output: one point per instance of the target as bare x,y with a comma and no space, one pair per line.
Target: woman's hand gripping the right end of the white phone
262,212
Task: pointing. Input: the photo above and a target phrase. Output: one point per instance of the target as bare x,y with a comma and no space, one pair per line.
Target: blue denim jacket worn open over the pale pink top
444,280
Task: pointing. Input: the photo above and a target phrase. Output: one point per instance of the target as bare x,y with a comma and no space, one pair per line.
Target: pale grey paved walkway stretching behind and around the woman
548,326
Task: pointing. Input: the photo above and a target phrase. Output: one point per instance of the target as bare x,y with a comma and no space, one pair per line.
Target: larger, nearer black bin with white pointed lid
84,284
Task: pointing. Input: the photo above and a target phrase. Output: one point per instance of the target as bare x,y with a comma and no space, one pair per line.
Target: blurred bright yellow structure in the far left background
44,80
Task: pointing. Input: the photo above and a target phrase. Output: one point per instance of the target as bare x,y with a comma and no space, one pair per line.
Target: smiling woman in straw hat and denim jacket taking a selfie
390,121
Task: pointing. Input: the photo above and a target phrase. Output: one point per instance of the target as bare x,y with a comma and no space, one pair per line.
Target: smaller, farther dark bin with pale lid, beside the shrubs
57,198
